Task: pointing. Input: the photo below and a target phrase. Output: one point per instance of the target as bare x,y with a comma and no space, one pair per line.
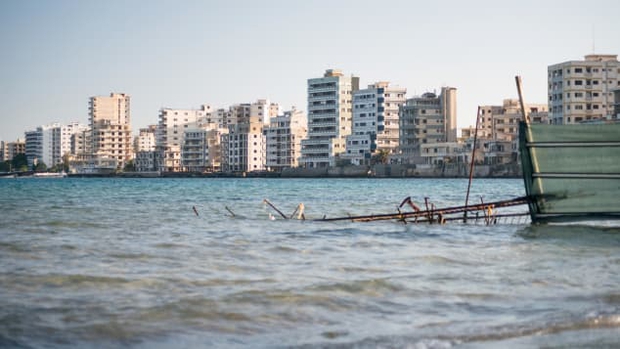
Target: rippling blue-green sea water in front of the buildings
96,263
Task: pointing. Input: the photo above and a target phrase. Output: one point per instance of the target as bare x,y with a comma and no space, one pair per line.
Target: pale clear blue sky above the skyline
56,54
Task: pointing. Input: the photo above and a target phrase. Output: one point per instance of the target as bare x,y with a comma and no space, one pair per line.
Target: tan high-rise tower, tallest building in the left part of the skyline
110,124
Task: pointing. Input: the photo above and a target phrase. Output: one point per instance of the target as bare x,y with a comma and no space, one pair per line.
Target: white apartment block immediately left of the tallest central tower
283,139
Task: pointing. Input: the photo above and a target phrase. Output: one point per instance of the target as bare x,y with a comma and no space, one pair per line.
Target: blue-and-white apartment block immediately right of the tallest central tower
375,122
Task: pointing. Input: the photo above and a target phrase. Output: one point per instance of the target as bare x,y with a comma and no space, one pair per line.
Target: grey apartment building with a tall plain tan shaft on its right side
426,119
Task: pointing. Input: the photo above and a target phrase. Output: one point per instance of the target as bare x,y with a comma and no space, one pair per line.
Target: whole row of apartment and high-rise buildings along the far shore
344,124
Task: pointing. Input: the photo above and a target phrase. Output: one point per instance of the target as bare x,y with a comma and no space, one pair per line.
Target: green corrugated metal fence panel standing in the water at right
571,172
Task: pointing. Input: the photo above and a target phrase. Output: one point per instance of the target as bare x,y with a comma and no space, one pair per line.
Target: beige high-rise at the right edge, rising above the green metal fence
583,90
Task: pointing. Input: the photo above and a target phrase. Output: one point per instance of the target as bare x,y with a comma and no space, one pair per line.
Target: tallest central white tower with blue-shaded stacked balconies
330,110
